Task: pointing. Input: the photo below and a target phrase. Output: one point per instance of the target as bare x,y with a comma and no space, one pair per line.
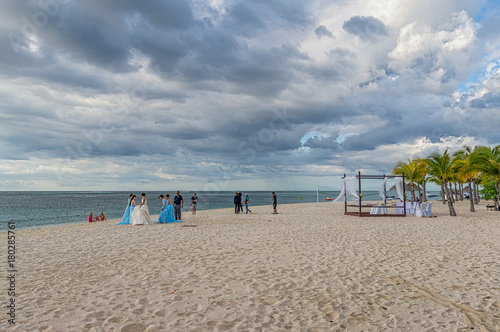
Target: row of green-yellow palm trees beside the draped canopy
475,166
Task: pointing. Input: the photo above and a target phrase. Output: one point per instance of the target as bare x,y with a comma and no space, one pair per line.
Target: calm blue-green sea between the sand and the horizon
35,209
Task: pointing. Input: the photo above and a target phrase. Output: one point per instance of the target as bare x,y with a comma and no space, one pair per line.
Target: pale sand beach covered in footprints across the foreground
309,268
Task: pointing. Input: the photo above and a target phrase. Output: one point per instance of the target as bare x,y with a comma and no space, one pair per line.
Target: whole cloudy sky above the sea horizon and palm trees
231,95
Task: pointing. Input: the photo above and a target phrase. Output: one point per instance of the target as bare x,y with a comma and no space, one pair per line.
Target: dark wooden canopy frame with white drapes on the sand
359,207
